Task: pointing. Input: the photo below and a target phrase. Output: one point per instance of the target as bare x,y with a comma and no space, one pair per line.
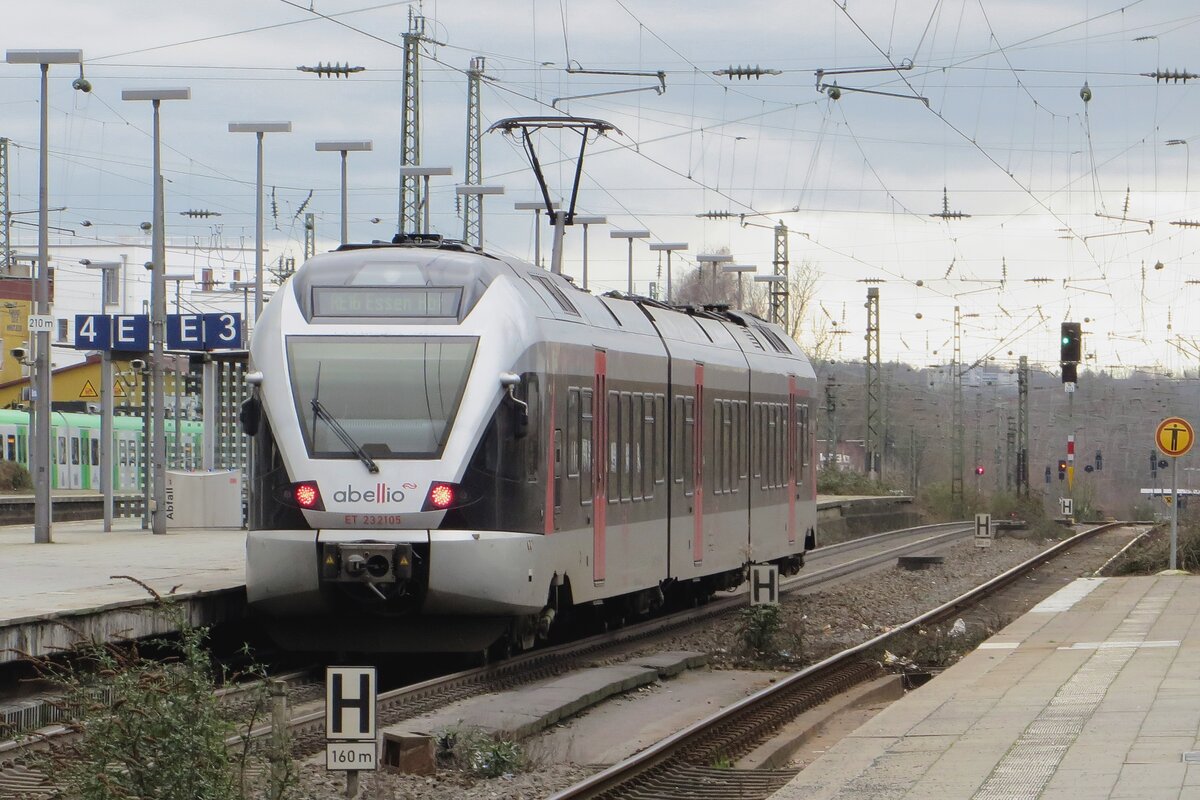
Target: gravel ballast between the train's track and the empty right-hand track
815,625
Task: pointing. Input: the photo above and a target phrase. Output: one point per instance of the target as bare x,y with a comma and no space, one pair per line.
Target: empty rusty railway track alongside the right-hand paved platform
683,765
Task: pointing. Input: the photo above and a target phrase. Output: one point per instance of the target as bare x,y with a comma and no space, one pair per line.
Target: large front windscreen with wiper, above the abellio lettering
383,396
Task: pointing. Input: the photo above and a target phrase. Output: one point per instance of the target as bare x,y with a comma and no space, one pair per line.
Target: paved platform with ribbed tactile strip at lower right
1093,694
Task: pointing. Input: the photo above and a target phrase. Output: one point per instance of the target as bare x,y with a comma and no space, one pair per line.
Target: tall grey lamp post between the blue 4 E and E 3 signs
158,303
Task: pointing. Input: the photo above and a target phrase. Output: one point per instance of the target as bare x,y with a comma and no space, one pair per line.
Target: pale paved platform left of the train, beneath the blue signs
53,596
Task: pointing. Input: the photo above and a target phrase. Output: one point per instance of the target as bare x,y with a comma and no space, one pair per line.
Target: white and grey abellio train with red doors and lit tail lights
454,452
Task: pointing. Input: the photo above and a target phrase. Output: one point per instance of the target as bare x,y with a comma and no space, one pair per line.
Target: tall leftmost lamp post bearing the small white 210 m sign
40,443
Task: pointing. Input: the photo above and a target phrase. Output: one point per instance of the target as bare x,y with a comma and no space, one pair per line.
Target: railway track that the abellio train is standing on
307,721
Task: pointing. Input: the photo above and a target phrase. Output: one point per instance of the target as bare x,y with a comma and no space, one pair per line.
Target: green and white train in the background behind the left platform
75,448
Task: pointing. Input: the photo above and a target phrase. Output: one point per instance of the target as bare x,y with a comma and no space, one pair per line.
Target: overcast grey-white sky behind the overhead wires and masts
991,112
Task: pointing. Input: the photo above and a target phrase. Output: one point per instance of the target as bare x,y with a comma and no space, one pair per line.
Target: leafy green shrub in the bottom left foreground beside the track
153,727
